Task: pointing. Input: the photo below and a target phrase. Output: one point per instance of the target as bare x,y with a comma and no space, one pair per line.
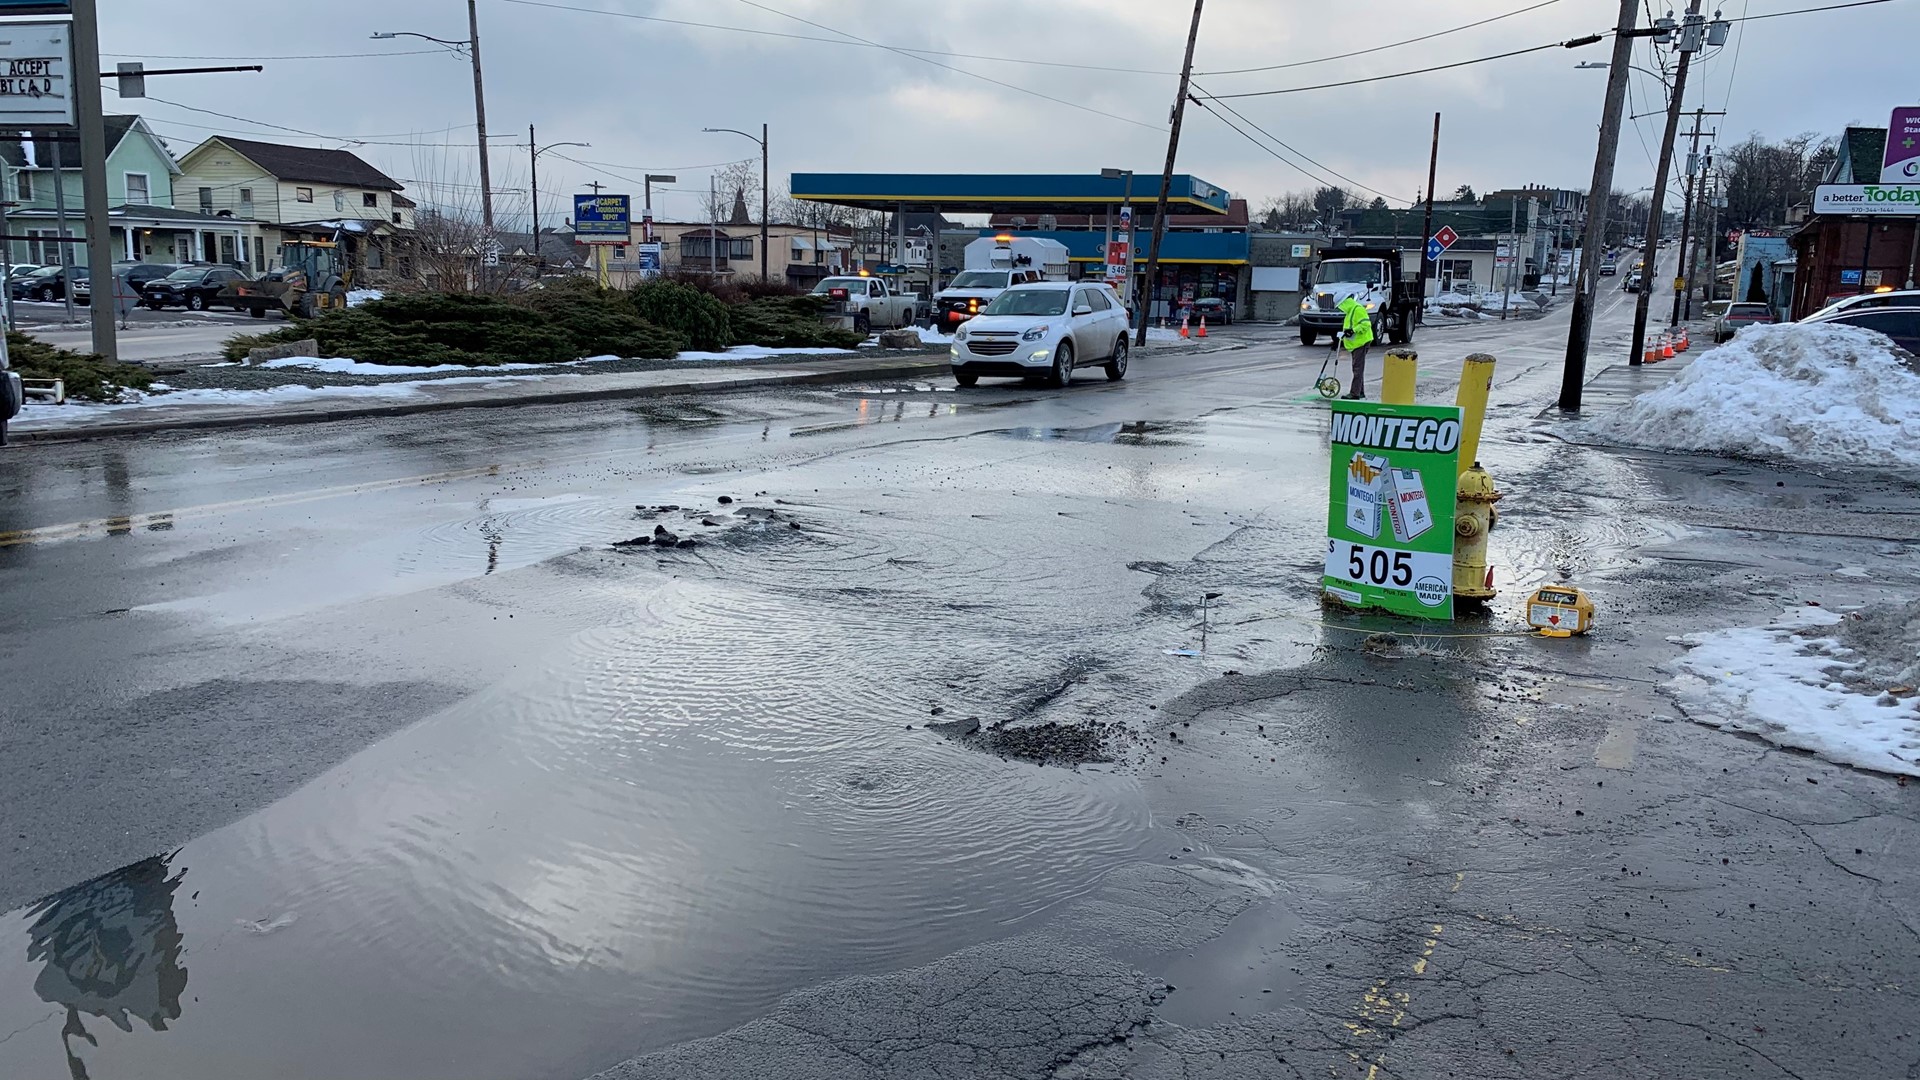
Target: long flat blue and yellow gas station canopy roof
1001,193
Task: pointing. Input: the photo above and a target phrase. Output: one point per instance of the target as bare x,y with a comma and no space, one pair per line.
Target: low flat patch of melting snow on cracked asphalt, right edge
1802,683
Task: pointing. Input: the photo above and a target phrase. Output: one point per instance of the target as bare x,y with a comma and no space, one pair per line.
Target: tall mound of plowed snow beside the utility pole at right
1808,393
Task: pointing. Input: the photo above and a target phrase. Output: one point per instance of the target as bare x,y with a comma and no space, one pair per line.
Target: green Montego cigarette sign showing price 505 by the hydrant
1391,516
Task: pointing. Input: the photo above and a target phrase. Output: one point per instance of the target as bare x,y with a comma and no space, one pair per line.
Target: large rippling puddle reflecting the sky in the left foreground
648,841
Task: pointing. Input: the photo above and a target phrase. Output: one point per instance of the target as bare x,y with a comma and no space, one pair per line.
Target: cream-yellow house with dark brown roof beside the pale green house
304,193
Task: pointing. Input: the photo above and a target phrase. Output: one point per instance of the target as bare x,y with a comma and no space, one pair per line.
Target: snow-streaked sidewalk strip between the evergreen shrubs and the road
312,405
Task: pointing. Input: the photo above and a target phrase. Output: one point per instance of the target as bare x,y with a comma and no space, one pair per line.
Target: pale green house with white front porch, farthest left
43,168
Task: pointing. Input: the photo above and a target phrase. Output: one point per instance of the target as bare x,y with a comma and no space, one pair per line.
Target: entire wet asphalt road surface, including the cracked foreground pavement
364,729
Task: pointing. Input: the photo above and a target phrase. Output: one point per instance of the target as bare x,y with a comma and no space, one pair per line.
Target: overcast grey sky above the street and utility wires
640,91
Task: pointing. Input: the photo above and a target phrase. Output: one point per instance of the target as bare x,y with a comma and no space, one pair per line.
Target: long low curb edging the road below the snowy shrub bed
900,370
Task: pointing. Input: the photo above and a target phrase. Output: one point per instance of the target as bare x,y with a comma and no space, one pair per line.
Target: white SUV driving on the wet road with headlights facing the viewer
1044,331
